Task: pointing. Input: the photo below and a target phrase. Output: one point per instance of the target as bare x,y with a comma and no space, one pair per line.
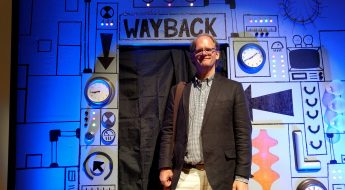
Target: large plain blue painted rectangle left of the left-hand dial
53,98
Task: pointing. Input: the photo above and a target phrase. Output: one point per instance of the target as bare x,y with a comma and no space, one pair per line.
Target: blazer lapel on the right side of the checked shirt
212,97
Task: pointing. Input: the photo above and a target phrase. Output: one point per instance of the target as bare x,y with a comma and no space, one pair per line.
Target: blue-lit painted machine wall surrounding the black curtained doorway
297,101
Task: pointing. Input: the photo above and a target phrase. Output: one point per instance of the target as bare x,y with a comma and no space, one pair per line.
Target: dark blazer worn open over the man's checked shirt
226,134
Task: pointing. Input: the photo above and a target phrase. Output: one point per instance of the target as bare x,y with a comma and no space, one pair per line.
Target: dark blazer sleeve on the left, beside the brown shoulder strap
166,133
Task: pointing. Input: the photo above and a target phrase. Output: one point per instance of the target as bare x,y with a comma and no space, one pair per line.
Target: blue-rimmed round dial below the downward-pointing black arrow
99,91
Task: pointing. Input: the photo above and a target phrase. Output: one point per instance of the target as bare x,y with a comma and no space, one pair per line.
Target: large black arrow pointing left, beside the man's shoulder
278,102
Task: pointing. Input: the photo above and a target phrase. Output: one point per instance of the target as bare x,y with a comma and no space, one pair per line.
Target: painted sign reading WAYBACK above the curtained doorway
172,26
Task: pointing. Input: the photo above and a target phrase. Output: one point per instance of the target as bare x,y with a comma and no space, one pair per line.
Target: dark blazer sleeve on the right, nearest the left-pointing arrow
242,133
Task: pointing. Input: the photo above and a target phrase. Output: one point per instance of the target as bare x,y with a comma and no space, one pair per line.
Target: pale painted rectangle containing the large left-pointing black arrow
274,103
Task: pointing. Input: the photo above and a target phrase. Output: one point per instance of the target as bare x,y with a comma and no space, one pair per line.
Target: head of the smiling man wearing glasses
205,53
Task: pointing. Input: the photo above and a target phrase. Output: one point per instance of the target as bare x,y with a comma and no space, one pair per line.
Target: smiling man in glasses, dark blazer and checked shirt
212,145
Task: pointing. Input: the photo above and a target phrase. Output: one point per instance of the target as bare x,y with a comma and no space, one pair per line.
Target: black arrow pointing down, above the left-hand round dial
106,43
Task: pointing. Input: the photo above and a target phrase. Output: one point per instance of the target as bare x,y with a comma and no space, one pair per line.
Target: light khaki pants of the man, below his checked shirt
193,179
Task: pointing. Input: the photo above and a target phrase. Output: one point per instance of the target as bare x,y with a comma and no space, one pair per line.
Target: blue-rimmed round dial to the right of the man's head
251,58
